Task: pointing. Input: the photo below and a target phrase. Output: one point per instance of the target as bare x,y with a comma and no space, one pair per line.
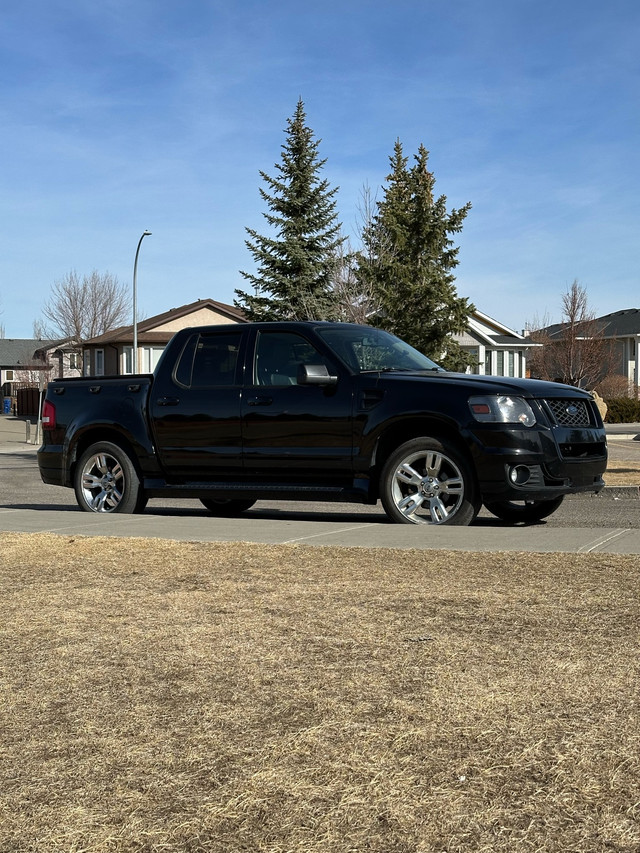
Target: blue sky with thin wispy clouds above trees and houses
126,115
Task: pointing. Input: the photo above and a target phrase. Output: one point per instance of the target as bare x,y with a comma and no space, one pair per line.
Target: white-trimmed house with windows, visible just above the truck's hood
496,349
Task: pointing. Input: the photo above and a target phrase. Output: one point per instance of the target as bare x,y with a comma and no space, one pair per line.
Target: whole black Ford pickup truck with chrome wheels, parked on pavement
320,411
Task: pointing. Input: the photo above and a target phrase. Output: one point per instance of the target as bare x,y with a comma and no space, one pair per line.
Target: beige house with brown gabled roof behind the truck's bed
112,353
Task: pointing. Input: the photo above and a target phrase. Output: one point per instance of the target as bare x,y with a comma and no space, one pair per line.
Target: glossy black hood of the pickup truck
534,388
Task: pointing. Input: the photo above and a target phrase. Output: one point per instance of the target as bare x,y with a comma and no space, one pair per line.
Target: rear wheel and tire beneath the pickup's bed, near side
106,480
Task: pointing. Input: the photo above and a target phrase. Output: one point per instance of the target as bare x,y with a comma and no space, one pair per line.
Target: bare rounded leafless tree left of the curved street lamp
84,307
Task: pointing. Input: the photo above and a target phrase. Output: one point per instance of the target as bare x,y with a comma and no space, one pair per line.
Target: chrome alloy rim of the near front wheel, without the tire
427,487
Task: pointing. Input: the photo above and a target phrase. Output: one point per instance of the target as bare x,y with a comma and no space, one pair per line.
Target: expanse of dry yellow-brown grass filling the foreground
213,697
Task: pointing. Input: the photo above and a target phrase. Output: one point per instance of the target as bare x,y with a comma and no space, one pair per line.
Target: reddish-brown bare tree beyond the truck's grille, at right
576,351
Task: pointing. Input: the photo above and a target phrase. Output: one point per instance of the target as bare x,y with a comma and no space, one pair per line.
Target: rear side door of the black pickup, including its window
195,410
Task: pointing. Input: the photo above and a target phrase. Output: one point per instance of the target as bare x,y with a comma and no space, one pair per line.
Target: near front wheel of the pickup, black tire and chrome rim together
428,481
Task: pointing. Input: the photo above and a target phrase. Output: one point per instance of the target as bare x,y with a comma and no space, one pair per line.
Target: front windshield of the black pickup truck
364,348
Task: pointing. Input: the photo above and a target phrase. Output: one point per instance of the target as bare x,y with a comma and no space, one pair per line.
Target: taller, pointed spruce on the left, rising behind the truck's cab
295,266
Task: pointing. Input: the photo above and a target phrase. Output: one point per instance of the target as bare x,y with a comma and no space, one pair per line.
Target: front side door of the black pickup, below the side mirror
294,433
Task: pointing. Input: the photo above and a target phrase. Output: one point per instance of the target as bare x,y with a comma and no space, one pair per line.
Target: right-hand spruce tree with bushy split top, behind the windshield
408,258
